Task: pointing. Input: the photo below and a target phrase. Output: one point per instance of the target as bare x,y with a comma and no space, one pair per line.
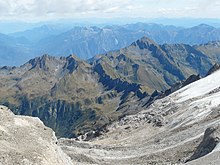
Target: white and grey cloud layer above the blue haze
56,9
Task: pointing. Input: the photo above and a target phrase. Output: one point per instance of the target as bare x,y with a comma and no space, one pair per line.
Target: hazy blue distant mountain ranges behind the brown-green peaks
86,42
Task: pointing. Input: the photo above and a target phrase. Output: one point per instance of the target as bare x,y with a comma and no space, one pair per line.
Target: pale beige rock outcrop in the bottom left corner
26,141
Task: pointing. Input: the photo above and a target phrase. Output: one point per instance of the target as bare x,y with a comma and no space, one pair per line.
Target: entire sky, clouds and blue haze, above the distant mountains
21,15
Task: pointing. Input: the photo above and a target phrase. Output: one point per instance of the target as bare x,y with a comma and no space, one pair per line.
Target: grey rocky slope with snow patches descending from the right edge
181,128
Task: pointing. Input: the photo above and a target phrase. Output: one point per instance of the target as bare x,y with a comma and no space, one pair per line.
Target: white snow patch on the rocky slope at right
201,96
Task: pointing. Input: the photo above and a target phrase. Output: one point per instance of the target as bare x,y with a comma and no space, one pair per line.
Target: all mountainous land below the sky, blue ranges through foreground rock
118,98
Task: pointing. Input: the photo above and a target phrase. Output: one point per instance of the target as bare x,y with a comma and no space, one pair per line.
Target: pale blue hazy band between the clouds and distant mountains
13,26
